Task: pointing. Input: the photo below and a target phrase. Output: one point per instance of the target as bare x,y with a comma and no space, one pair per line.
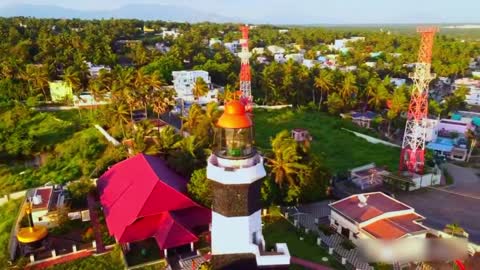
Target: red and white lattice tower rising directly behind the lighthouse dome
245,73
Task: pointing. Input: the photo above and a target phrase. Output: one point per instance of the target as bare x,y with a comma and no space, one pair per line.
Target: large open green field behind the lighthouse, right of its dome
341,150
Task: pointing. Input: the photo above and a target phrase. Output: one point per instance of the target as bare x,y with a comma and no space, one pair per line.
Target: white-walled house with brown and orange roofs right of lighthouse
376,216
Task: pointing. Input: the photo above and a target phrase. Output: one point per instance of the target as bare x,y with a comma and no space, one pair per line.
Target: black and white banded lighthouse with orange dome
236,170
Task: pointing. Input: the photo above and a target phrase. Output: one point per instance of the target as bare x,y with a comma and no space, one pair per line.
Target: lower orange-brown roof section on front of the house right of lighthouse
395,227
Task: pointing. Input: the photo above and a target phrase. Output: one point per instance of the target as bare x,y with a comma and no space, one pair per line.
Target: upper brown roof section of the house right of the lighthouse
377,204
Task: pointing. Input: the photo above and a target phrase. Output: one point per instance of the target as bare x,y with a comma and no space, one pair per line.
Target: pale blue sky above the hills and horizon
307,11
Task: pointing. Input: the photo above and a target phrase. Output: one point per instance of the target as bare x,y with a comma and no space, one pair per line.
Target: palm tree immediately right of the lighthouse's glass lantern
284,162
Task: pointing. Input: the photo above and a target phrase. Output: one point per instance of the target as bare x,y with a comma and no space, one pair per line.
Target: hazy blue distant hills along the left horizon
133,11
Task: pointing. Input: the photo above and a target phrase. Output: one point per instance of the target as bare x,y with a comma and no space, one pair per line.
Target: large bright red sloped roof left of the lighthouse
140,193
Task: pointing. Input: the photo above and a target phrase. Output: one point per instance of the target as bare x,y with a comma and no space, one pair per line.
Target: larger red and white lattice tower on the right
412,157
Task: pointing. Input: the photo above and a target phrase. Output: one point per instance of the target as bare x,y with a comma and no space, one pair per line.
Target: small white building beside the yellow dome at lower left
45,203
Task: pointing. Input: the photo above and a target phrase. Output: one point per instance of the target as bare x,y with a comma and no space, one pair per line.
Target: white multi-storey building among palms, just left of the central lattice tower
184,81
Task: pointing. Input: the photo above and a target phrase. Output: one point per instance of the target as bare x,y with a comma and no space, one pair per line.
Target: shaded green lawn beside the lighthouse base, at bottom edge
279,230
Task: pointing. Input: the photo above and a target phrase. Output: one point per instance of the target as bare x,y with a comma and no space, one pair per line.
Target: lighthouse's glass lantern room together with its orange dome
234,133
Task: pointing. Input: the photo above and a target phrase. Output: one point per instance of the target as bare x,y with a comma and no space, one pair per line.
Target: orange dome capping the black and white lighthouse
234,116
